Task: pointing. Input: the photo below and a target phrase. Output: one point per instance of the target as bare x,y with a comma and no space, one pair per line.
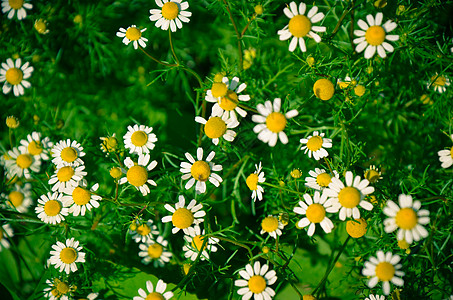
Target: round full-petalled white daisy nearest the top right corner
373,36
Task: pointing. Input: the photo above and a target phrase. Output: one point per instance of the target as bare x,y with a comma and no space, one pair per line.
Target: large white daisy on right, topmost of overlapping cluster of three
351,196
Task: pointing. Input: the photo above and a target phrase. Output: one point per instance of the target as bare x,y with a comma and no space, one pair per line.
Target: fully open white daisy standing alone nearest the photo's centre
200,171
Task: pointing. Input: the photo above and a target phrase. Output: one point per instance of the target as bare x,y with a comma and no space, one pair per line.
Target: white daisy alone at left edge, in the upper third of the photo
14,75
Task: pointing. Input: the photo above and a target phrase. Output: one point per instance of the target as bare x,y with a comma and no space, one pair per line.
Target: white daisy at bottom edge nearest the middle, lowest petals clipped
256,281
